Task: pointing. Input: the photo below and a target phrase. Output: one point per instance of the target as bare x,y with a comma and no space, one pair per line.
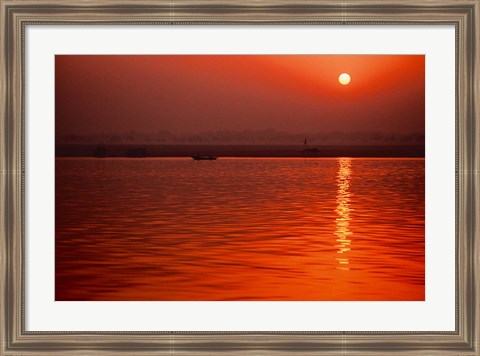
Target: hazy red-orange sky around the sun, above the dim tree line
197,93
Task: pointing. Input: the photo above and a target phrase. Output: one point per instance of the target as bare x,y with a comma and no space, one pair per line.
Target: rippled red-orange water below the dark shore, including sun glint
239,229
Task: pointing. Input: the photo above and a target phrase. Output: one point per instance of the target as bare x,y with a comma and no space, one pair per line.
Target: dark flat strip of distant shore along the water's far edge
303,151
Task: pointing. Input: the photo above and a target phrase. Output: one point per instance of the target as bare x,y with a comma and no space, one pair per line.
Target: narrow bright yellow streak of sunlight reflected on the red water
342,231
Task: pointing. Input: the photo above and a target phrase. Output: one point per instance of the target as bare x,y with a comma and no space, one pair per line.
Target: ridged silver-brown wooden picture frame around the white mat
16,14
